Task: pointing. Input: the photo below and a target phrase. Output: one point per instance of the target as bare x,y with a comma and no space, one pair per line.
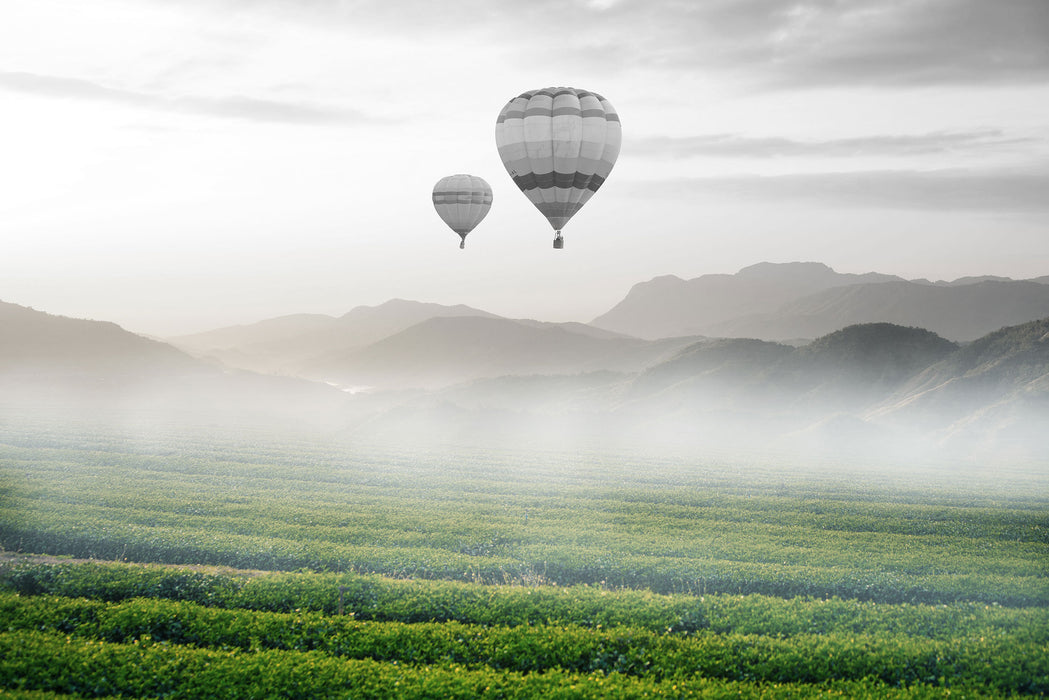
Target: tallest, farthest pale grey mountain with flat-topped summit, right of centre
667,307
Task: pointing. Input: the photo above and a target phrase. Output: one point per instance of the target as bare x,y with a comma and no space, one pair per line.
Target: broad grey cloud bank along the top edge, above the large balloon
768,44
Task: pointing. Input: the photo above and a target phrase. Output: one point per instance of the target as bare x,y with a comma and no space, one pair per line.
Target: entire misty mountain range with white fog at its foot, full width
837,365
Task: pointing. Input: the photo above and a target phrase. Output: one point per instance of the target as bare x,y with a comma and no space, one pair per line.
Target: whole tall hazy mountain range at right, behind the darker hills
783,303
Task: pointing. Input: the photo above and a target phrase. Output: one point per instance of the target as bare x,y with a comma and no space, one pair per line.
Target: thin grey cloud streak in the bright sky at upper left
228,108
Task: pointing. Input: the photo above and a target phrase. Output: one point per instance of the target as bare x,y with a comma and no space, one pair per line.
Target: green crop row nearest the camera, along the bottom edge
58,664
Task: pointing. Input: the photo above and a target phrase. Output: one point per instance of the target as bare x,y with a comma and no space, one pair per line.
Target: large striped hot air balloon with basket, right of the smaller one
560,145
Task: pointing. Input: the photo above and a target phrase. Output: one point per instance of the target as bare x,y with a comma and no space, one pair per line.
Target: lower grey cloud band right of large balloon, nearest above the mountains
1004,190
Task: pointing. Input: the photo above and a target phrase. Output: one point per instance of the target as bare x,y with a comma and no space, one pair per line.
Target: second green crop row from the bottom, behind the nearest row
1000,662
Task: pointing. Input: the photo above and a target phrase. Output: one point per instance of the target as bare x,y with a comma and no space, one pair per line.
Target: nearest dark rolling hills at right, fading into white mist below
865,391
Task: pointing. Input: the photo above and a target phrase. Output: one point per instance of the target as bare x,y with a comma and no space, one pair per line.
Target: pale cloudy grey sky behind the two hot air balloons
176,167
